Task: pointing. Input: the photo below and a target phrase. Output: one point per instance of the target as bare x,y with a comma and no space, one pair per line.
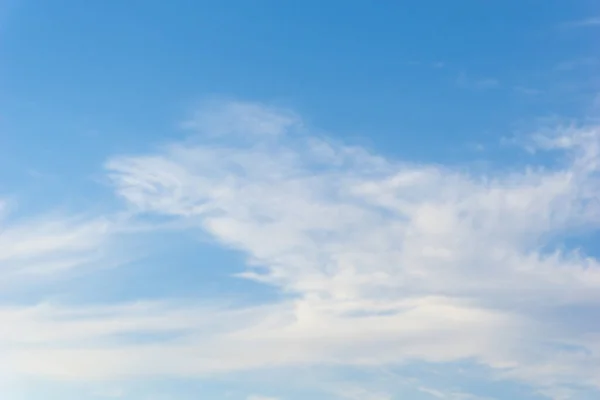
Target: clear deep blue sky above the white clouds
355,67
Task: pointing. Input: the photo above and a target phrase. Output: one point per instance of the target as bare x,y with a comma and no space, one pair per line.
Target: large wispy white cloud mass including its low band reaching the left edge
382,262
